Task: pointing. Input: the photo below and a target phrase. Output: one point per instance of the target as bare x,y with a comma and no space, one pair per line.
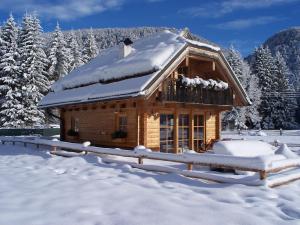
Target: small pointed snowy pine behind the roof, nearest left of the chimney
90,47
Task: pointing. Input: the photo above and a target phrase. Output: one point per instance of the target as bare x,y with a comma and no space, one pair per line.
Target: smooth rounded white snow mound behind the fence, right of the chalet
243,148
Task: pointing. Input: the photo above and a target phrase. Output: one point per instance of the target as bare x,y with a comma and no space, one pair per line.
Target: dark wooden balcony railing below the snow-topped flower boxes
174,91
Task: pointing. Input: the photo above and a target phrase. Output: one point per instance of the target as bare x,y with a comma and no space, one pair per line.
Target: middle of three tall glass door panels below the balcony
183,131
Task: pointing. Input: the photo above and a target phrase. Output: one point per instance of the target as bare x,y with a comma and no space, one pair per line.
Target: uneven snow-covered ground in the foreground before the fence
36,188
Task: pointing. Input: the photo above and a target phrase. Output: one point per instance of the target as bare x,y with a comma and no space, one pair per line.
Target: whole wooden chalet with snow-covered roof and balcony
165,92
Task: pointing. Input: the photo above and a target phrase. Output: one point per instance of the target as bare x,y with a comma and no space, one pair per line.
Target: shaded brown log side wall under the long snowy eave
96,123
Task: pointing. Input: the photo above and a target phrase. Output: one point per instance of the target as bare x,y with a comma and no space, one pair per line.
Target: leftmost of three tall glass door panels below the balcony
166,133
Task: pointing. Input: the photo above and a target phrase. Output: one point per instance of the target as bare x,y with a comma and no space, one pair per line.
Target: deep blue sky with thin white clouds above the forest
245,24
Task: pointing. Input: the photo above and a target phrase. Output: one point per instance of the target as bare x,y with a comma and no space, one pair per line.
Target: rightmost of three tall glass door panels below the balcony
198,127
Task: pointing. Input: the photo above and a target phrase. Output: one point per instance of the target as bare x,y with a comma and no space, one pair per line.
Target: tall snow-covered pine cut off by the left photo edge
10,87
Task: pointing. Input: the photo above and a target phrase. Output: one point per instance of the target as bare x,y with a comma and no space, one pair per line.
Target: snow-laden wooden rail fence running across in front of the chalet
264,165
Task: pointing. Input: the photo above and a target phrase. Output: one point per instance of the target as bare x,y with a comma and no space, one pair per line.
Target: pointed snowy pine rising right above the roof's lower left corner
58,55
